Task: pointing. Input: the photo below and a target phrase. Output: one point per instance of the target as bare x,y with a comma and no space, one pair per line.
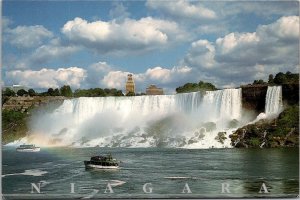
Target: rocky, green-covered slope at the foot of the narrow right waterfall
280,132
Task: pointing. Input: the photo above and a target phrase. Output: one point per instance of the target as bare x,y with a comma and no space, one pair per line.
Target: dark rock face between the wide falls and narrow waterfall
253,97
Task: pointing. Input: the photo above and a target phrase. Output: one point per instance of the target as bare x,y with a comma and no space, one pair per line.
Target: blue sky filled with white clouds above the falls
88,44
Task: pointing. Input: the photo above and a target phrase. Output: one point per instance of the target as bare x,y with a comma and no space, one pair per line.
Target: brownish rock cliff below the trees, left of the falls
24,103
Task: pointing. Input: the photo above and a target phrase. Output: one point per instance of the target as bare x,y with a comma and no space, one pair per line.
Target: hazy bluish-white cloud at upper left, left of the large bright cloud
26,36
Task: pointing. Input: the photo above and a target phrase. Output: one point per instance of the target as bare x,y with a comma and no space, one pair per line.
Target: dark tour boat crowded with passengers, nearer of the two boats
102,162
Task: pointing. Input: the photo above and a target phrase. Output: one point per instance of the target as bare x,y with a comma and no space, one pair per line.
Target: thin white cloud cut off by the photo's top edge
182,9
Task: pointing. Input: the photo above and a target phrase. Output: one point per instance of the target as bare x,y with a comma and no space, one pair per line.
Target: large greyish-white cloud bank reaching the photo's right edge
241,57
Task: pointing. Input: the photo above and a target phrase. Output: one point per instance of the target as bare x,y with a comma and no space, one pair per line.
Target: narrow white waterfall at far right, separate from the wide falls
273,100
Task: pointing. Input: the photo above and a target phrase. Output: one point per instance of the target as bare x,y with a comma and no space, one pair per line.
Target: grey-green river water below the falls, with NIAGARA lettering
165,172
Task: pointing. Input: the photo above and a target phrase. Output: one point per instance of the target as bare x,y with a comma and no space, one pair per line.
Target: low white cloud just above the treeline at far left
46,78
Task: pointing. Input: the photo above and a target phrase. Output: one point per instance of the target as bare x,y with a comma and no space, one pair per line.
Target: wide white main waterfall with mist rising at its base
189,120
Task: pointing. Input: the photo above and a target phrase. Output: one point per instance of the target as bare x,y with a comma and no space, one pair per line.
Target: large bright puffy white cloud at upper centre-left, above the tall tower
122,37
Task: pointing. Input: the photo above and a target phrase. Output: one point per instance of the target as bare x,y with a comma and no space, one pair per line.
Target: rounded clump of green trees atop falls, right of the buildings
194,87
